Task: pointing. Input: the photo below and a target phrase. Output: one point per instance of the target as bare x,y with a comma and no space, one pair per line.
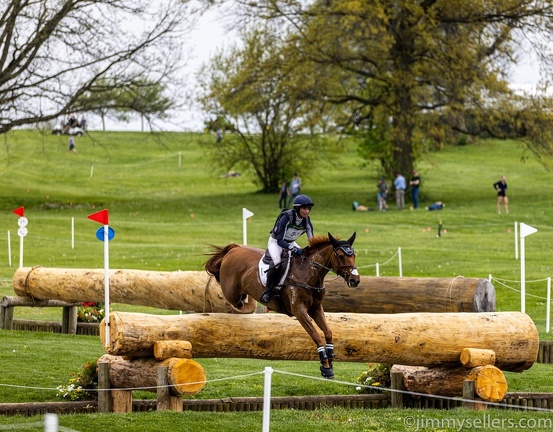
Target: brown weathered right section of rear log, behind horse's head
405,295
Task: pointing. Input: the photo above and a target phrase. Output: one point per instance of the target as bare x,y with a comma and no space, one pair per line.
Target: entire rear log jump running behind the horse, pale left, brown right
199,292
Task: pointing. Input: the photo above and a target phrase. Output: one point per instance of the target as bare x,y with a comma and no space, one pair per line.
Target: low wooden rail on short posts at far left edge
9,303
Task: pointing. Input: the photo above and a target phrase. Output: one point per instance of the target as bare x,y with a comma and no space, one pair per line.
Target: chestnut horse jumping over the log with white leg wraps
301,295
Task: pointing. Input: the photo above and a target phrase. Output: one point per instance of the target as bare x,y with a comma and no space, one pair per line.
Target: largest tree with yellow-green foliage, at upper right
406,72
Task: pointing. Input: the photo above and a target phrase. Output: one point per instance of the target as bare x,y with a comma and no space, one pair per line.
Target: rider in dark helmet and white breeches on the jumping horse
289,225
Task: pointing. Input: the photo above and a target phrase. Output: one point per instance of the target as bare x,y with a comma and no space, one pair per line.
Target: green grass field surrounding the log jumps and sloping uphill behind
167,205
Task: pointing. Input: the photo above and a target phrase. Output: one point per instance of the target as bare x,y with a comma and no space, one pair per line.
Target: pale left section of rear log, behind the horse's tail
186,291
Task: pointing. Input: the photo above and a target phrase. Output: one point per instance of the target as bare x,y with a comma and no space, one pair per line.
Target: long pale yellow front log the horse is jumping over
424,339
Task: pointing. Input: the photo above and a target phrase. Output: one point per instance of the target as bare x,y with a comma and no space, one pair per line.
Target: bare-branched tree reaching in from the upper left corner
52,53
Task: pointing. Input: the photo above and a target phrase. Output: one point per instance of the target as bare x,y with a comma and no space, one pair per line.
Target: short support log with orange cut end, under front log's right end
489,382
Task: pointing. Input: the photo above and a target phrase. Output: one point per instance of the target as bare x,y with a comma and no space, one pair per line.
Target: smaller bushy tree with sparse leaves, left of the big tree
253,92
